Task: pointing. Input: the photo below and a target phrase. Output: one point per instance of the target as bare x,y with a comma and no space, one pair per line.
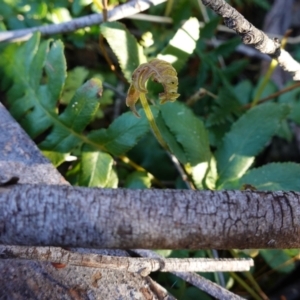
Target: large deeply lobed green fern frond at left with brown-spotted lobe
33,99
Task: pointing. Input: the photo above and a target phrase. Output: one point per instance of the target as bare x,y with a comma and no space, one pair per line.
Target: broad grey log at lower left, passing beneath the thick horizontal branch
39,280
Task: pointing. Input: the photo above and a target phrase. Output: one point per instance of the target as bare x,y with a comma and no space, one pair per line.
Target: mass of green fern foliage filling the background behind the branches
97,142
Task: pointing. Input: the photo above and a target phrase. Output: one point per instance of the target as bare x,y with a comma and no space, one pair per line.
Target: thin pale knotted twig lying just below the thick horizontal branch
143,266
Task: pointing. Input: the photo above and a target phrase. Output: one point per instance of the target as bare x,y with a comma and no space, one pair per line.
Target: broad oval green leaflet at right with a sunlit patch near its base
247,137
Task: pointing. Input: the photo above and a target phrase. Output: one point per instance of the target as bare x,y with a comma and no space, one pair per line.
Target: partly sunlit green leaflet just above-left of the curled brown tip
129,53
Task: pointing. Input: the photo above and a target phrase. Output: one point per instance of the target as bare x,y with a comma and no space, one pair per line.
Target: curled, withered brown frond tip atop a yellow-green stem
159,71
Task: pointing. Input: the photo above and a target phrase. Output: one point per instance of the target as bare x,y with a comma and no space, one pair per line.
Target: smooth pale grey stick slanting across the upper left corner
120,12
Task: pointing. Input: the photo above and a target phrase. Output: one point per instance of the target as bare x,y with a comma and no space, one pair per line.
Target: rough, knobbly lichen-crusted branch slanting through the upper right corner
252,36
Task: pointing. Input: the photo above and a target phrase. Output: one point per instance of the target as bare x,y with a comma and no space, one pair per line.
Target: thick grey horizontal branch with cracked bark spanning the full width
43,215
